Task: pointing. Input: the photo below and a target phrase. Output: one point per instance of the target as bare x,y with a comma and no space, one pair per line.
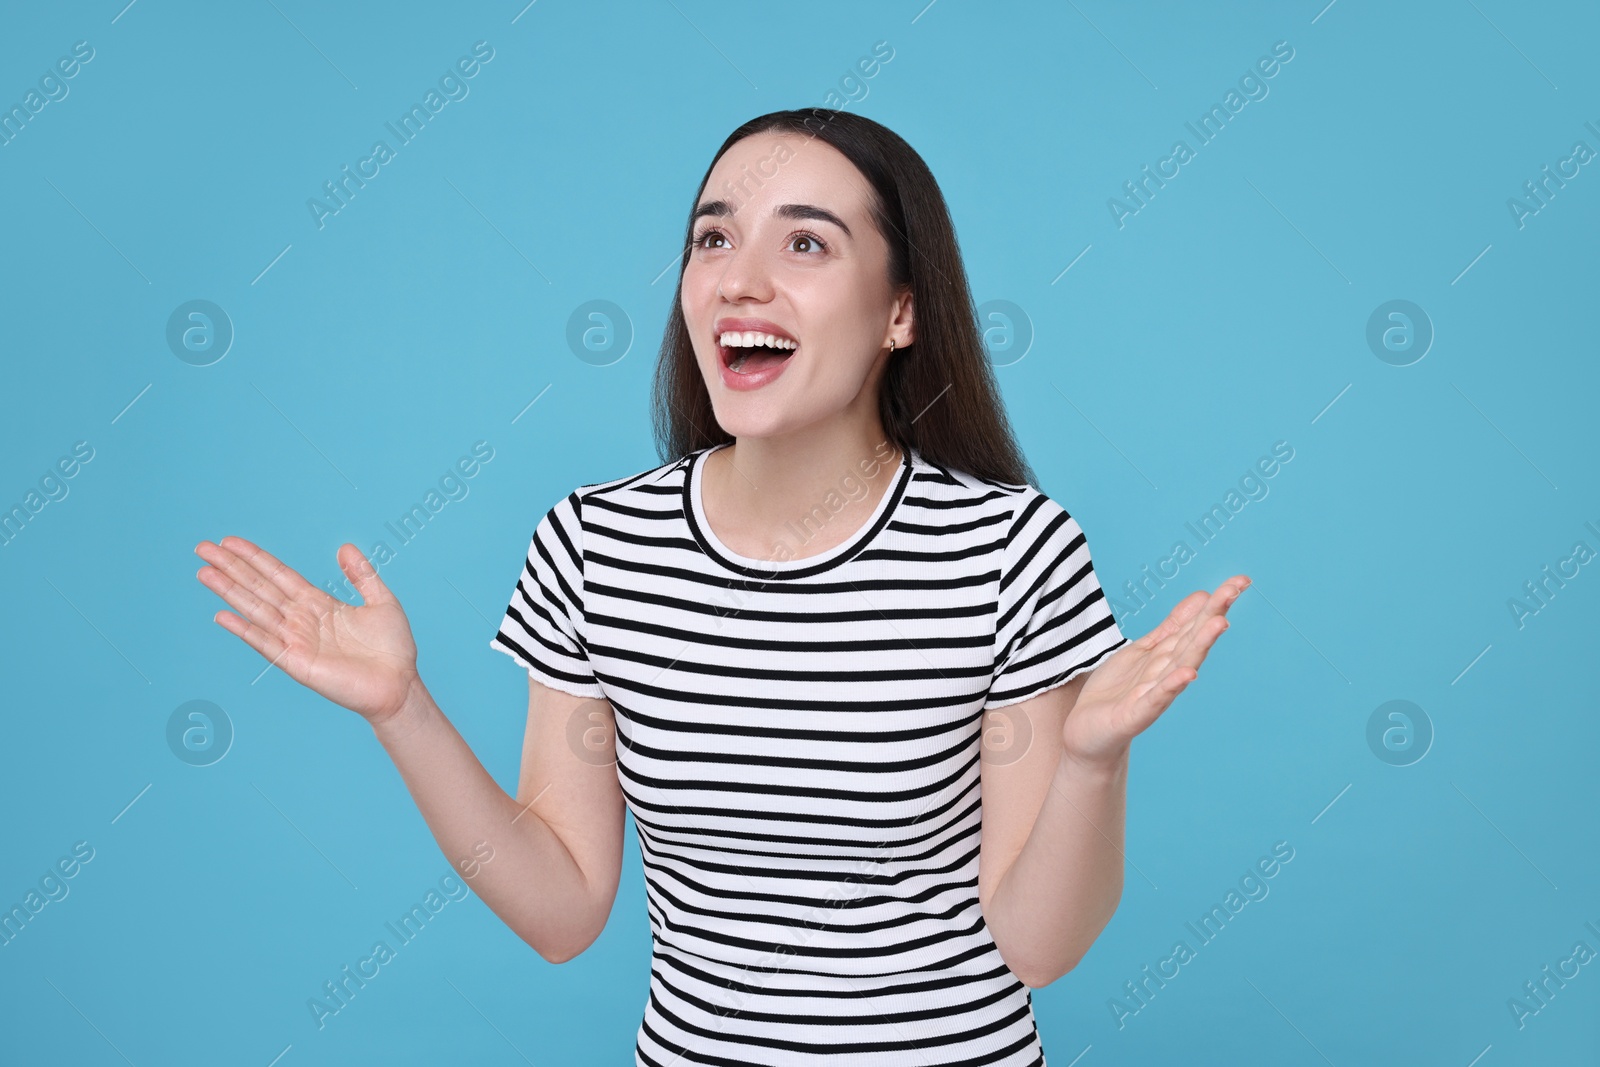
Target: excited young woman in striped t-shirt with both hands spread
850,671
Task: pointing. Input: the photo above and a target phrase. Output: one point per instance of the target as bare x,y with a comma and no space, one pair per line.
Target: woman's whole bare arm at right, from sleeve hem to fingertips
1052,855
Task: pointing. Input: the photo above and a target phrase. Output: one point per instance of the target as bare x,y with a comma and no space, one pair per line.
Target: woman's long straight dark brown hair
938,394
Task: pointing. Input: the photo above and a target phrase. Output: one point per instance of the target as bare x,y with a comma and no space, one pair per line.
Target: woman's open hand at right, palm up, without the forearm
1138,682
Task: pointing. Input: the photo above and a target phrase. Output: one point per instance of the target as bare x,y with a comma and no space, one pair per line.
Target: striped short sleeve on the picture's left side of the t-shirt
542,623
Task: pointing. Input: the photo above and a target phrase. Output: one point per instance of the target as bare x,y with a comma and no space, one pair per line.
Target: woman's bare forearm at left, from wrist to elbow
530,881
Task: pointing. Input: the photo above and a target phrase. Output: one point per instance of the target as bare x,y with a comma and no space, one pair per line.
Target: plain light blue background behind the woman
1226,316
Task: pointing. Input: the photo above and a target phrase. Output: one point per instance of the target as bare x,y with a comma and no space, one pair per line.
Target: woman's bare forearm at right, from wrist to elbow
1066,882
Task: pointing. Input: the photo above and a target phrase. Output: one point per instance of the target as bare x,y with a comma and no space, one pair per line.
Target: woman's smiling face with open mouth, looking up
785,246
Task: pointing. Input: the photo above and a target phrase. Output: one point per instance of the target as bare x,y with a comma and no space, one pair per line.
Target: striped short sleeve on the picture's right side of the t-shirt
1054,620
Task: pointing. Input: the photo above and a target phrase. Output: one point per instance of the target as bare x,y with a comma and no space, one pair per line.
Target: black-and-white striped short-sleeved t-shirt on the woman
799,746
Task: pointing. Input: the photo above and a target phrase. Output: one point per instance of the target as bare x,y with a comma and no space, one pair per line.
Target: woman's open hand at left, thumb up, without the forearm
359,658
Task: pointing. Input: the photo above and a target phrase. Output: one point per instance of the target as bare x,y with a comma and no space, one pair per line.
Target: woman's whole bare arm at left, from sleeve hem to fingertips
550,860
